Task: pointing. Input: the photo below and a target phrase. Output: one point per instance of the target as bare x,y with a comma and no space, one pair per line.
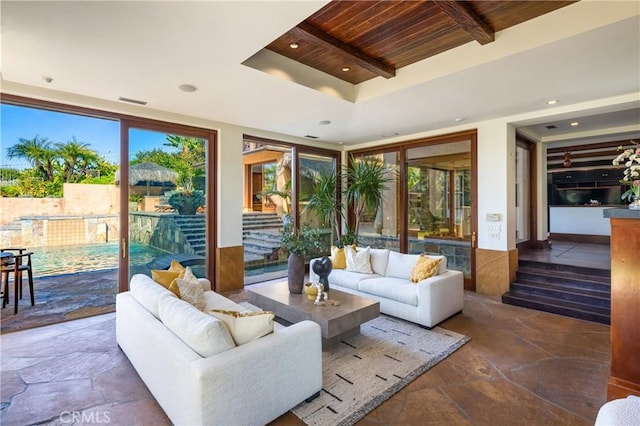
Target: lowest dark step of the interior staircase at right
565,308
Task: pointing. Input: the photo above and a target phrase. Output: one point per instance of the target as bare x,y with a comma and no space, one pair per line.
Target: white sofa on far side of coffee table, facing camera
427,302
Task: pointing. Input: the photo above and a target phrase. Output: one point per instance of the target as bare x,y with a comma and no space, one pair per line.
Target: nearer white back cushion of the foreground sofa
203,333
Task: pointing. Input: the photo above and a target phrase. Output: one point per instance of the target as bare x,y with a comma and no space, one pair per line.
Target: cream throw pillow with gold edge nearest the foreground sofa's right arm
245,326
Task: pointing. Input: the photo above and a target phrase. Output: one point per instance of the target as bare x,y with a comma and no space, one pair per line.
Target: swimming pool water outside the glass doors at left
57,260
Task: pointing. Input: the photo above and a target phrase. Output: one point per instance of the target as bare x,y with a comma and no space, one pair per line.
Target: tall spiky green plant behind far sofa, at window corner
367,180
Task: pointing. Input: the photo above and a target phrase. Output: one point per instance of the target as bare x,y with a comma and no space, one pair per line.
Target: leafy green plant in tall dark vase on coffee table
298,242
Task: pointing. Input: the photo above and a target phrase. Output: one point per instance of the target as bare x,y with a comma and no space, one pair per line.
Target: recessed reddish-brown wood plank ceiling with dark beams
356,41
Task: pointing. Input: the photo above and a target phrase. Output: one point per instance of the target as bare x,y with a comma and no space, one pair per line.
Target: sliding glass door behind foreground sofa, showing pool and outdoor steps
169,199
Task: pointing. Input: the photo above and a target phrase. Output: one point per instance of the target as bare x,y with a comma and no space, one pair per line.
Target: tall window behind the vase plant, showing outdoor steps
280,180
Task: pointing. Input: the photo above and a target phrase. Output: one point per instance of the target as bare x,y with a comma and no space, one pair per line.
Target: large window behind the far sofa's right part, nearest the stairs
428,206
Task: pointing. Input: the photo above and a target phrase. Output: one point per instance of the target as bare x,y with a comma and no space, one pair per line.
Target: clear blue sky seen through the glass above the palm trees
102,135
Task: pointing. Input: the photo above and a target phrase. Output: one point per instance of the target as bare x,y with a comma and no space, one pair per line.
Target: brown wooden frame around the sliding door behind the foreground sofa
126,124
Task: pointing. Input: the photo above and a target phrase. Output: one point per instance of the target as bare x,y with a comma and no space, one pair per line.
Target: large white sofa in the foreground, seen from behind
198,375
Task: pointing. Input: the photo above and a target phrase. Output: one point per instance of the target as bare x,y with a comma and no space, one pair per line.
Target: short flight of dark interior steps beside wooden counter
572,291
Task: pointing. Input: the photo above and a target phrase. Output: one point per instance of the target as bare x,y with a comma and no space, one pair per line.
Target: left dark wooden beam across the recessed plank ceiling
310,33
